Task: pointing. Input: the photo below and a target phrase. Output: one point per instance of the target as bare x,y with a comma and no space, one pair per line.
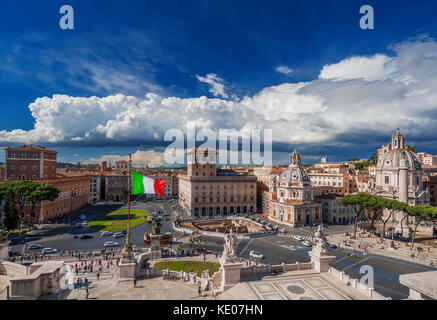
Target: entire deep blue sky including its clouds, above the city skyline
240,55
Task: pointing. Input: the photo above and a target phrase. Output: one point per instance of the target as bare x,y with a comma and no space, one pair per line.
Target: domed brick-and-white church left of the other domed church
293,196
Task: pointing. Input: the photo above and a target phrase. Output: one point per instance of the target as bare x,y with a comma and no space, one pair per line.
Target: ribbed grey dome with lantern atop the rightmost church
392,158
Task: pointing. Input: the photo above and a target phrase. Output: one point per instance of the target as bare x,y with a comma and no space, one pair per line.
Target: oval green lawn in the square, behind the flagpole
117,220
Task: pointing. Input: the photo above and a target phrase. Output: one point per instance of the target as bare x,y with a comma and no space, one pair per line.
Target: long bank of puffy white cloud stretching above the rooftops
359,94
